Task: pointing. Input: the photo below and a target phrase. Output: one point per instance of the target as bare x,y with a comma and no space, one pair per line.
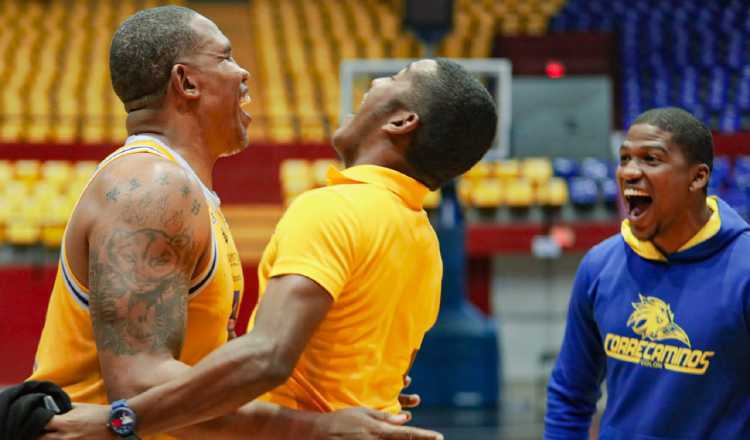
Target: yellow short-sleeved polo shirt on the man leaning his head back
366,239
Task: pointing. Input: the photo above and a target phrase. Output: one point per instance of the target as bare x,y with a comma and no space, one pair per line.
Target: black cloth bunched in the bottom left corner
23,414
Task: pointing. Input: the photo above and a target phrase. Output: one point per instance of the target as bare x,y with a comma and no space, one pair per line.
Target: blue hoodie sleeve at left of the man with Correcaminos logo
574,386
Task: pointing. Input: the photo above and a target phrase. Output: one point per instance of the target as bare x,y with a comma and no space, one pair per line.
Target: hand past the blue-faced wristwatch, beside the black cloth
83,422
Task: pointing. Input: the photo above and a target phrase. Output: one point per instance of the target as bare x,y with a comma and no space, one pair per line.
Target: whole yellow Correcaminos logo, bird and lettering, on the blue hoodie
653,321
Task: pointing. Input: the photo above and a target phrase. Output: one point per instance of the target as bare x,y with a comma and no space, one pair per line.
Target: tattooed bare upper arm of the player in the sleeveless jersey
146,241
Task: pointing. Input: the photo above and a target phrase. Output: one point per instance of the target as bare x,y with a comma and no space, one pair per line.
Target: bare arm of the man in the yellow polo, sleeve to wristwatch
244,368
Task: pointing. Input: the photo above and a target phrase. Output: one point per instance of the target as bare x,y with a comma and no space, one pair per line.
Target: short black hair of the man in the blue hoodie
687,131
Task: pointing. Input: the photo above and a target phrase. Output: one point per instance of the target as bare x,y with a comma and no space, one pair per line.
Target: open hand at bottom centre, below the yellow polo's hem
368,424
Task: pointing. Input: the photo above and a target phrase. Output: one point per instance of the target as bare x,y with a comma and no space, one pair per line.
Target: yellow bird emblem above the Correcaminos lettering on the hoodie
653,319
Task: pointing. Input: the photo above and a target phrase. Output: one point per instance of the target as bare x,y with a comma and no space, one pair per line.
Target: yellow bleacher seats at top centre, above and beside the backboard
300,45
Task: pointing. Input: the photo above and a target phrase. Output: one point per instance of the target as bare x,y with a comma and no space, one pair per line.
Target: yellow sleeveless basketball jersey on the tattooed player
66,354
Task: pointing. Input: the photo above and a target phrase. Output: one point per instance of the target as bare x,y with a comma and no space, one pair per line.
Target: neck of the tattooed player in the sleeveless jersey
183,136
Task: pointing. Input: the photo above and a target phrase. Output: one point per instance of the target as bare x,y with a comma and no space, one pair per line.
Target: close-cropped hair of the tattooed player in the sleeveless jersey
144,49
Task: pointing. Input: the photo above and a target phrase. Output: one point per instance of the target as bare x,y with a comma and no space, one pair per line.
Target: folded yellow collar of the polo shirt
410,190
